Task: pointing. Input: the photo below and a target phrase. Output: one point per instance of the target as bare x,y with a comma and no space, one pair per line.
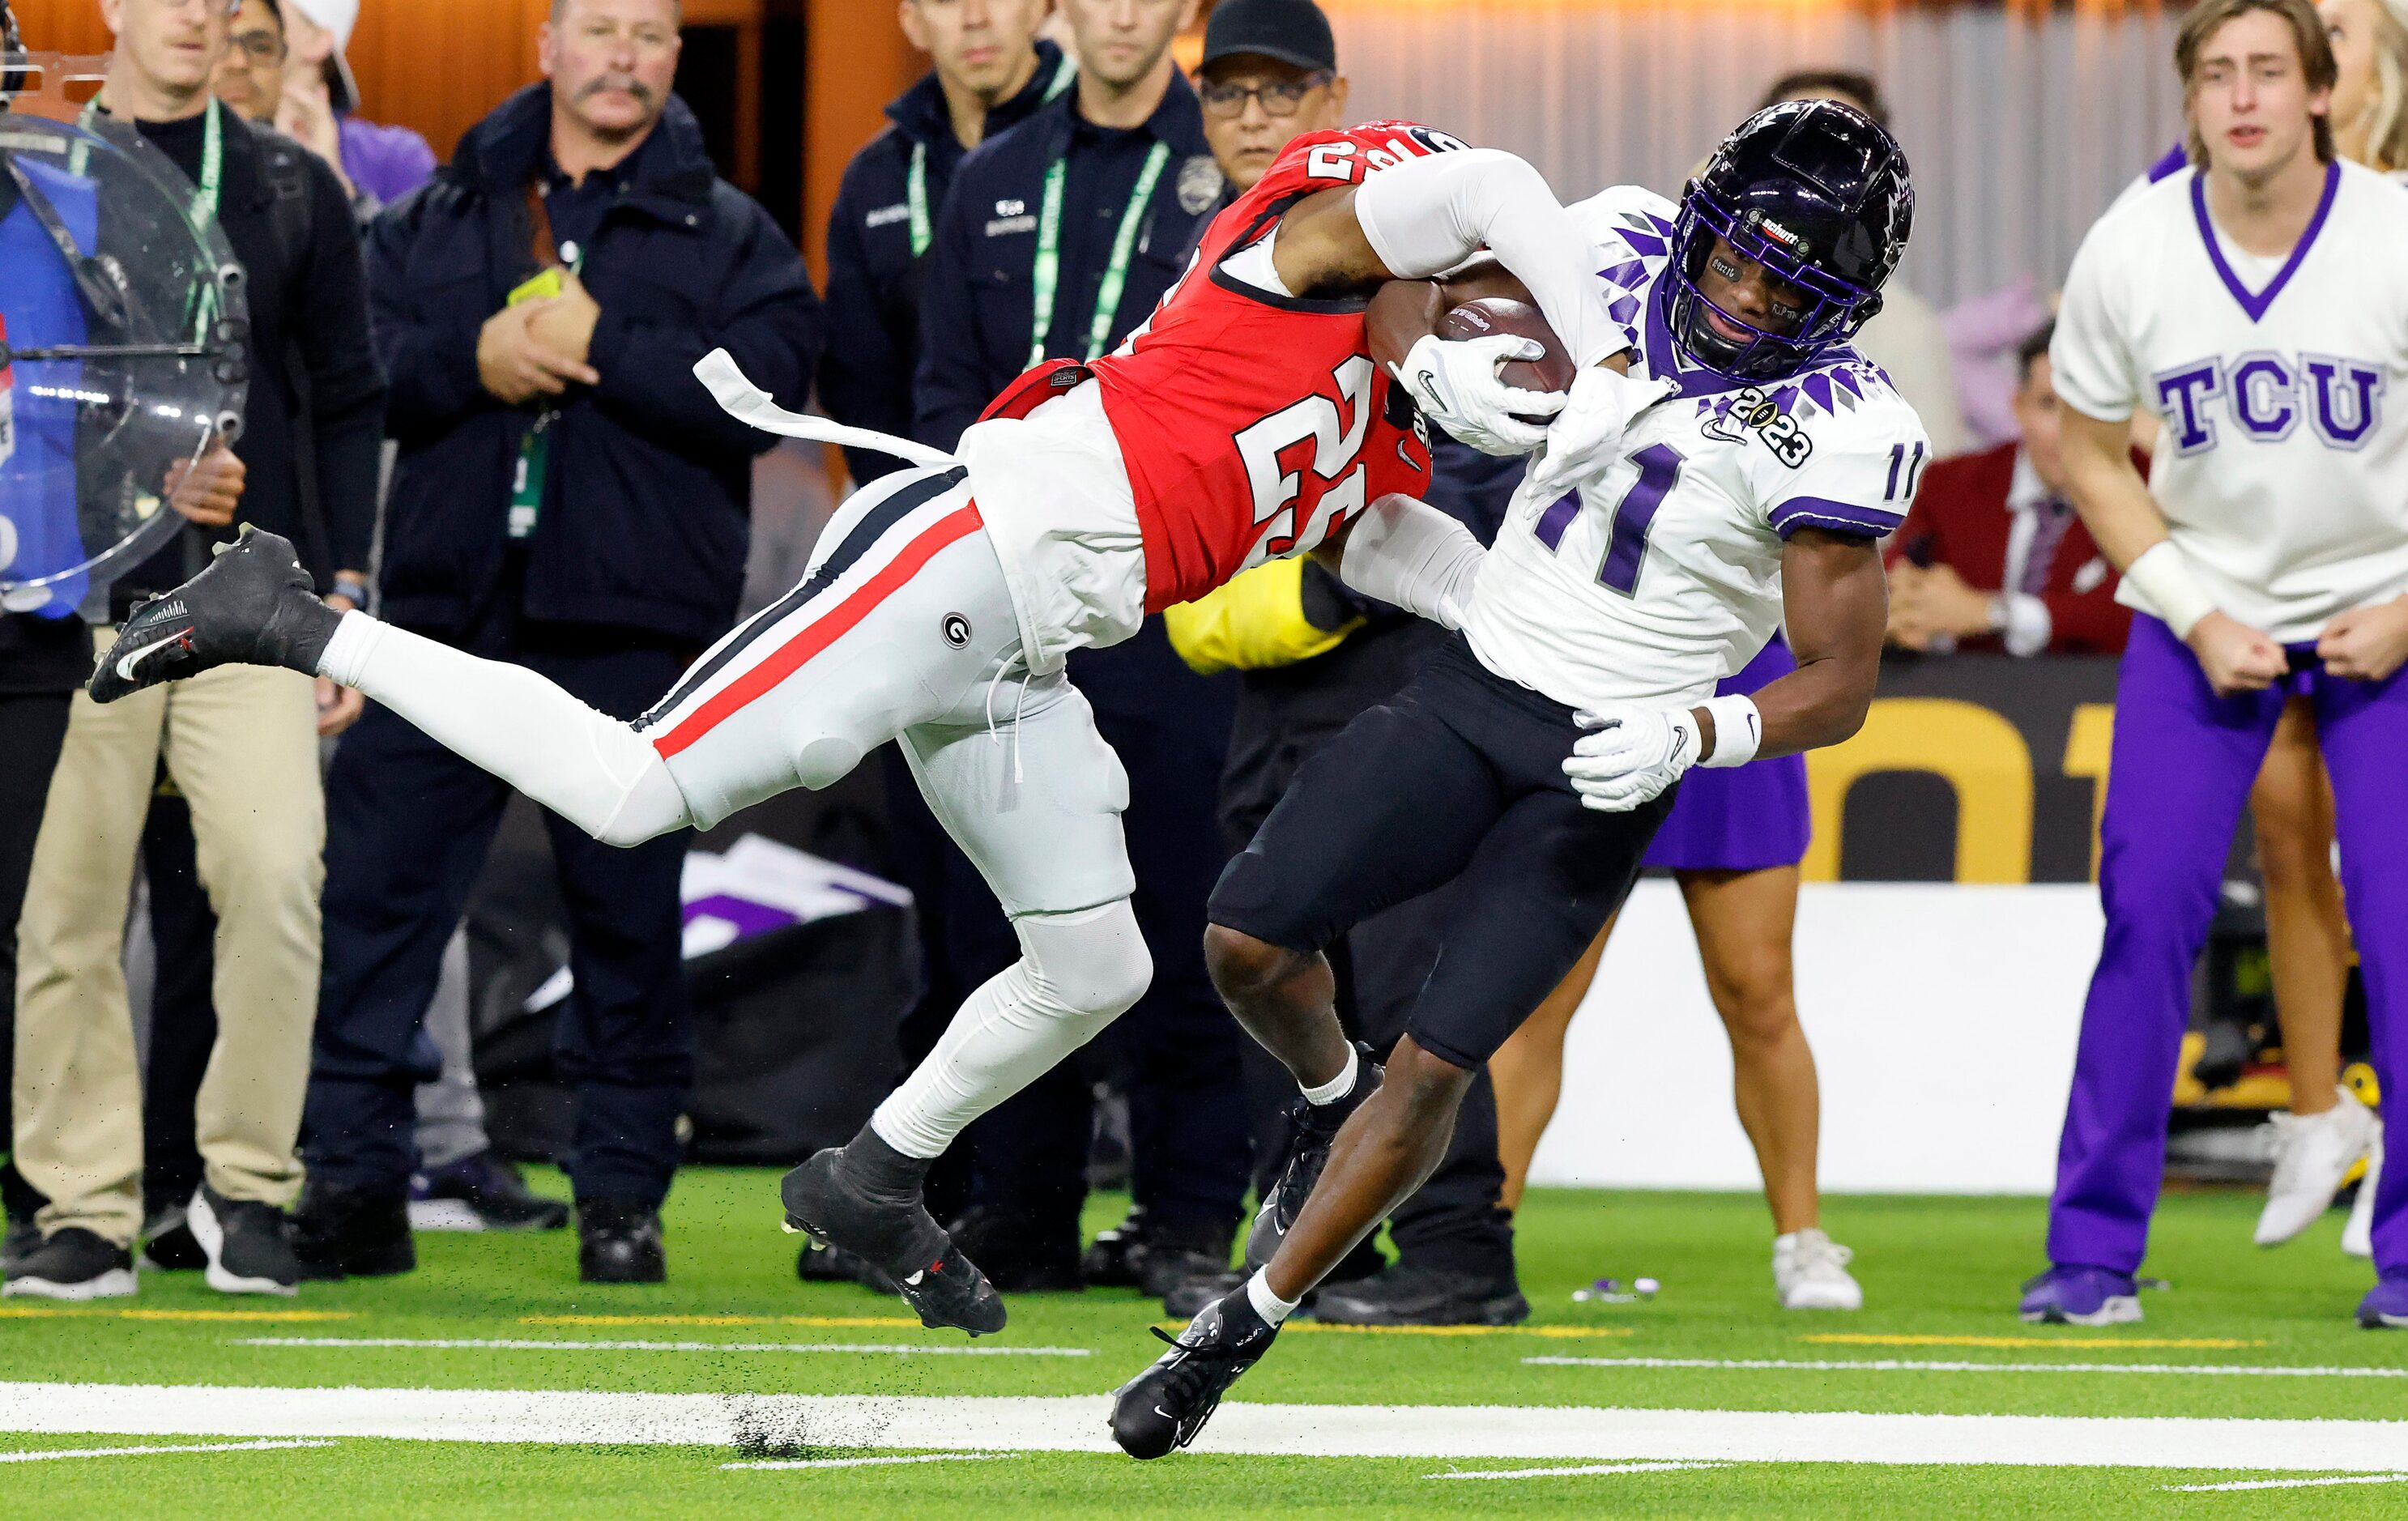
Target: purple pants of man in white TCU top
2180,776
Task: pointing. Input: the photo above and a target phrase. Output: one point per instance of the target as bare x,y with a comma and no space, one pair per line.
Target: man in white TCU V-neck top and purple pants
2255,304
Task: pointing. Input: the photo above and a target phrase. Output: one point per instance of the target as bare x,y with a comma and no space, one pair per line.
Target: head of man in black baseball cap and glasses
1270,73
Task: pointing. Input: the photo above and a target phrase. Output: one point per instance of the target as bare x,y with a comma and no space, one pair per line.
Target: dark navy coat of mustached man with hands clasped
649,495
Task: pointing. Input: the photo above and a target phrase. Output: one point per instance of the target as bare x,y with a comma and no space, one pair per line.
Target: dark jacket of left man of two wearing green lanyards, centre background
873,271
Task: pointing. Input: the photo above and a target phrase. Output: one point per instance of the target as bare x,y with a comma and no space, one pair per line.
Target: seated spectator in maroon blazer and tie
1993,555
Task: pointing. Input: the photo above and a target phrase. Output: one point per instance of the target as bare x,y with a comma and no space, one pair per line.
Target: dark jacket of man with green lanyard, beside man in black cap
979,304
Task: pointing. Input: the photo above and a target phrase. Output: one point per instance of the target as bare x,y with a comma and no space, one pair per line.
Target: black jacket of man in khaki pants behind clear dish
317,413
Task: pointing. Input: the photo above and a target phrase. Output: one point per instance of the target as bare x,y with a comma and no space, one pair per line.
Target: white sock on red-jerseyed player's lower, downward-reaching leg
1078,973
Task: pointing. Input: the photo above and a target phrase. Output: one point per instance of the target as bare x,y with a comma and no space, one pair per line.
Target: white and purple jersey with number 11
1663,574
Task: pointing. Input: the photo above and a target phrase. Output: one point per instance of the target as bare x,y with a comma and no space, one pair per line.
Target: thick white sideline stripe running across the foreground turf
1078,1424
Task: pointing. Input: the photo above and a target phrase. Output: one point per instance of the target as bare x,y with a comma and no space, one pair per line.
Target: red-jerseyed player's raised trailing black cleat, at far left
254,605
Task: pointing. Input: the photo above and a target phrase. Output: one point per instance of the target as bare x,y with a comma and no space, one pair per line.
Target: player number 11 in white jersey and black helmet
1533,762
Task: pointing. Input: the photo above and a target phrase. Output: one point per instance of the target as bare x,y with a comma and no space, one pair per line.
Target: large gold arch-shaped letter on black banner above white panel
1973,750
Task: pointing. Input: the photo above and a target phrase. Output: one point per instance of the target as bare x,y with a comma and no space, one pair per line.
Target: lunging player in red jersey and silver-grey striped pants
1244,422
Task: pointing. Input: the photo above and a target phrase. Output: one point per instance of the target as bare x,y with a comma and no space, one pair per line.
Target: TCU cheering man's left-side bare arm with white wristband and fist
2130,531
